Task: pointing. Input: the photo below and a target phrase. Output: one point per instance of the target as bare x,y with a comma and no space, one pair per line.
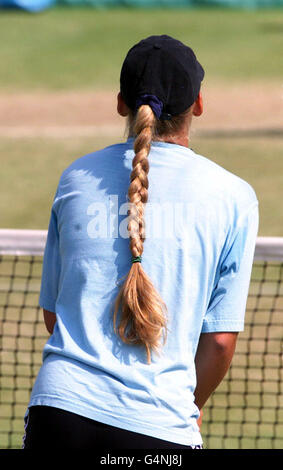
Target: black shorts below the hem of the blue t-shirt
53,428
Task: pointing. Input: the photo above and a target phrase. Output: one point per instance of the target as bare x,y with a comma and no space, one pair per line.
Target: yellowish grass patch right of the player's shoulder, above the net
258,161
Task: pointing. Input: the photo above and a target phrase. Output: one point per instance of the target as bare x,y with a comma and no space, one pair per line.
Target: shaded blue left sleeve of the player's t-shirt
51,267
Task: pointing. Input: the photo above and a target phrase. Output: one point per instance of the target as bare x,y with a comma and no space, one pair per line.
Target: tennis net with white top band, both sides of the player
246,411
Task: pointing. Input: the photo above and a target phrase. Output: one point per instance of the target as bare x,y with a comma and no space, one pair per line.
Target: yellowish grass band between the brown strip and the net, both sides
26,194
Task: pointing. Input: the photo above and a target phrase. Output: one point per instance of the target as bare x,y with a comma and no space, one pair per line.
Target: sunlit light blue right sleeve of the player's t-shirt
227,306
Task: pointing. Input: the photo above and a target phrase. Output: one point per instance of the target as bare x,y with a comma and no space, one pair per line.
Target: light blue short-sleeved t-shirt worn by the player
201,224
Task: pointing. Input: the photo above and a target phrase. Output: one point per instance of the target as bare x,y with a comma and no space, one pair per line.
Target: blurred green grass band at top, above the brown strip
84,48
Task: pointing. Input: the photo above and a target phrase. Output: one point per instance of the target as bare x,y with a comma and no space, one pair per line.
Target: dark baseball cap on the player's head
164,67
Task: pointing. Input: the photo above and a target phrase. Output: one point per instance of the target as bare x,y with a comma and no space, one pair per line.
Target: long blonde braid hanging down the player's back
143,318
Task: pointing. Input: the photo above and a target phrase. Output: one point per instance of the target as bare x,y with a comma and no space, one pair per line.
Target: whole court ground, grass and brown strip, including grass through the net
80,51
